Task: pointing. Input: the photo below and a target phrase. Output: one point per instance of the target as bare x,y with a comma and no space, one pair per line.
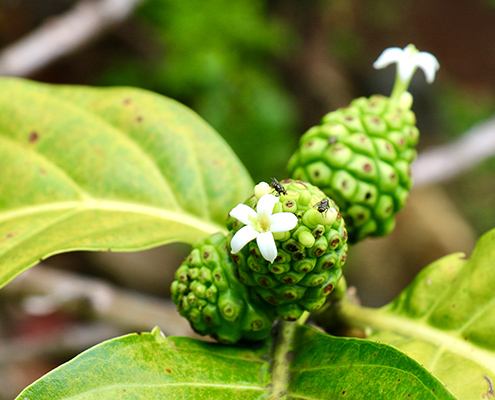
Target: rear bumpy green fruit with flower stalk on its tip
360,156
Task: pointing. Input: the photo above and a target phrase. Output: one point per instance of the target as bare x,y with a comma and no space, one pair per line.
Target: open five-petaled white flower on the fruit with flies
260,225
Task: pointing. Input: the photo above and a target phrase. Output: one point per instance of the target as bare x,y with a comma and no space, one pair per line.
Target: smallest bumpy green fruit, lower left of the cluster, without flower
208,294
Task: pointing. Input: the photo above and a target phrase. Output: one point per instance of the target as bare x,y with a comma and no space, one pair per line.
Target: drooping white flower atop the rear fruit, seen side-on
408,59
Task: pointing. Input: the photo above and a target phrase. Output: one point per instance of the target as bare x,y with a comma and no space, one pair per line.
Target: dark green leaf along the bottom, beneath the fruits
148,366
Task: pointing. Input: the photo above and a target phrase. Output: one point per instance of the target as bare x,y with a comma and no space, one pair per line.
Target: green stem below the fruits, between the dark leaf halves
281,359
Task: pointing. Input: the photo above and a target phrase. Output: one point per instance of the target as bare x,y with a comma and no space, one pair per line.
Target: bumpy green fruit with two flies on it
309,257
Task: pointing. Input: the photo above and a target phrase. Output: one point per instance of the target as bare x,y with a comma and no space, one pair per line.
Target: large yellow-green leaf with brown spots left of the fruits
106,168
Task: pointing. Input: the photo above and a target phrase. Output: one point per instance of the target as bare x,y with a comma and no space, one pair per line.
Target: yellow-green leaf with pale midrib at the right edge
445,320
